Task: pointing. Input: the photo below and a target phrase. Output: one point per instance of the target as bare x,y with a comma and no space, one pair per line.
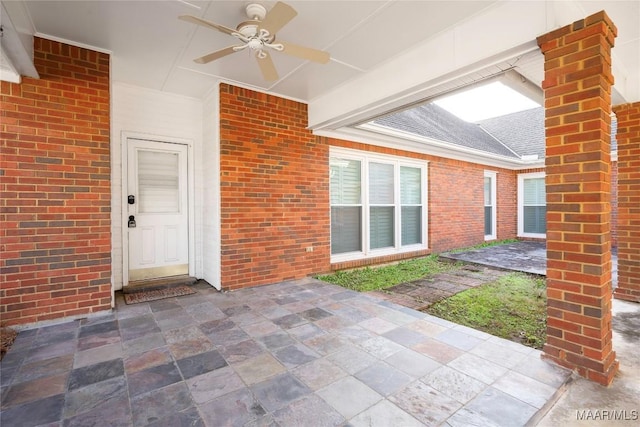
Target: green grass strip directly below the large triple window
377,278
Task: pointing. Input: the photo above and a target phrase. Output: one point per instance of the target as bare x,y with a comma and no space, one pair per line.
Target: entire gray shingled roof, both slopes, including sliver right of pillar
513,135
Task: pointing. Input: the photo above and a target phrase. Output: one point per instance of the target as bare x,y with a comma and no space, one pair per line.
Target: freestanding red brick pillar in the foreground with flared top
577,88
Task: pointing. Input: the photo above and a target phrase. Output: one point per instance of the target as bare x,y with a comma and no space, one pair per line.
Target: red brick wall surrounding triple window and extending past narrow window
456,200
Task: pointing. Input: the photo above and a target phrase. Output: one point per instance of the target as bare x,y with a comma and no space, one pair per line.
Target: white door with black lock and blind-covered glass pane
157,209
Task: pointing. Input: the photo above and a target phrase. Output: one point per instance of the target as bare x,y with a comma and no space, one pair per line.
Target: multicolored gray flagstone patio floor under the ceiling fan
298,353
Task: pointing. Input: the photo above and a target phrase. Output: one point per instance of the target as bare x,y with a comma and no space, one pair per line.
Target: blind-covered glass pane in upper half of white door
158,183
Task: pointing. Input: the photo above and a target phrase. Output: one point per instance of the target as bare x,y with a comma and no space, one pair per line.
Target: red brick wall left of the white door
55,184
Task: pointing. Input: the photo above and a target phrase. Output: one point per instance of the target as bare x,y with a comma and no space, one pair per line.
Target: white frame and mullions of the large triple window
365,158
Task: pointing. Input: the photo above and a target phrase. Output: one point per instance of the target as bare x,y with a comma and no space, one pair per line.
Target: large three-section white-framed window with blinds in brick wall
377,204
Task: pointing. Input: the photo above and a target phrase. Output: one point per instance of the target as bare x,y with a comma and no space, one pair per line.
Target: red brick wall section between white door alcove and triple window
274,190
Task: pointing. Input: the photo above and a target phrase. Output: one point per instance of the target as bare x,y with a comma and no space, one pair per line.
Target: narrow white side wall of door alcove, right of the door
210,189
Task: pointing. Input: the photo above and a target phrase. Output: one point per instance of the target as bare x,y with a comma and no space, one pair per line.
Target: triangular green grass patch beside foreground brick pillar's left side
513,307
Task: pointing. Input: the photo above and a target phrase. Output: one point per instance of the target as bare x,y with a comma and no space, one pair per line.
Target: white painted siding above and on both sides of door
144,111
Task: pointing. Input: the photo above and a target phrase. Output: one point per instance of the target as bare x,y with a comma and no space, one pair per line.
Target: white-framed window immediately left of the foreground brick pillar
532,206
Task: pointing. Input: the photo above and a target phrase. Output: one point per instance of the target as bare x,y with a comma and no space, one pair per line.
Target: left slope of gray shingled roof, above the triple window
432,121
